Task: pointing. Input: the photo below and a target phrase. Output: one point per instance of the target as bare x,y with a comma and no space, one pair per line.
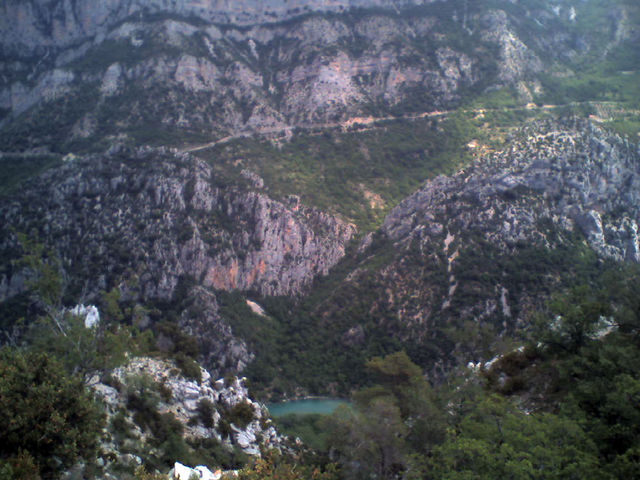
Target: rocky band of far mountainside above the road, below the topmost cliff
209,81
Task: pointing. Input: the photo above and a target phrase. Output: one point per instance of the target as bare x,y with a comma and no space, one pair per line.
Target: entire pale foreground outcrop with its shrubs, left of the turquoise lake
215,416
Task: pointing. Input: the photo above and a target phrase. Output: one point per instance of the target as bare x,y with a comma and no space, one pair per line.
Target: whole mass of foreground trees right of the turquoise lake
565,406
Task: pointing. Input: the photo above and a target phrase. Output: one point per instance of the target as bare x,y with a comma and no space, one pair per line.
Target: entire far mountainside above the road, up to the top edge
176,74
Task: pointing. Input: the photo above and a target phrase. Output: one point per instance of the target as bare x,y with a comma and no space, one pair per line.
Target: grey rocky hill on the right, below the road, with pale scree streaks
470,256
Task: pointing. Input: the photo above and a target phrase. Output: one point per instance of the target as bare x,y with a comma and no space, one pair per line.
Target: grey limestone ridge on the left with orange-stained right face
157,217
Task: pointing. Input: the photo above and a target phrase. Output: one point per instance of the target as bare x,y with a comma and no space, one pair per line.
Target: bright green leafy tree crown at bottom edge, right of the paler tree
498,441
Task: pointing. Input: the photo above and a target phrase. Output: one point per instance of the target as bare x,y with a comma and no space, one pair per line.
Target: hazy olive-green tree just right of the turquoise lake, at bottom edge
391,423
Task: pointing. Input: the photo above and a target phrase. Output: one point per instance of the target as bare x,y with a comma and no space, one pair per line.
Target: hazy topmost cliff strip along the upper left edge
37,24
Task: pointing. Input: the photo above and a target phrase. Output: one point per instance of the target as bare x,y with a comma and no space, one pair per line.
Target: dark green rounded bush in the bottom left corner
46,413
